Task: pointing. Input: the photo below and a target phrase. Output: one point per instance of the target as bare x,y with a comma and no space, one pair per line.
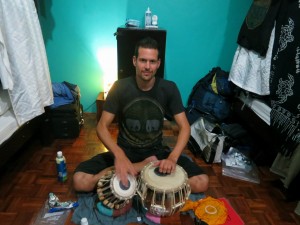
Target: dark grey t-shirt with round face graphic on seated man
141,113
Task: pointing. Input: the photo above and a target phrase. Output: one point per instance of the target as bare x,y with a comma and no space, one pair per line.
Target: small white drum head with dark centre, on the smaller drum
120,190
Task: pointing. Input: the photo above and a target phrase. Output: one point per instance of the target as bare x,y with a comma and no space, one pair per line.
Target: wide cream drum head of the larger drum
163,182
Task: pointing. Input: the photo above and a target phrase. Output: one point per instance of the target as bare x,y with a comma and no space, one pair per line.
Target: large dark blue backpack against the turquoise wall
210,97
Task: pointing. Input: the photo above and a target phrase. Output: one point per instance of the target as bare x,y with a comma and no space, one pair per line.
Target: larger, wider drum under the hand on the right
163,194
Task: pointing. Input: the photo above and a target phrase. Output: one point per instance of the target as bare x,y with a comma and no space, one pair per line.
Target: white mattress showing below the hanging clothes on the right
258,106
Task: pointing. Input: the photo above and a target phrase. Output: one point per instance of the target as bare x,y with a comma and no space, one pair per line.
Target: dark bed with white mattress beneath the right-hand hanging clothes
254,113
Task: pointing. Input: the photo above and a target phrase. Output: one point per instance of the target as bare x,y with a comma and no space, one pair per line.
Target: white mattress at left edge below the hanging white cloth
8,124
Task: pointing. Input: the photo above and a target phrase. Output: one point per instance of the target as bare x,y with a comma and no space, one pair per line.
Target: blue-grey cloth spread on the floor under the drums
86,208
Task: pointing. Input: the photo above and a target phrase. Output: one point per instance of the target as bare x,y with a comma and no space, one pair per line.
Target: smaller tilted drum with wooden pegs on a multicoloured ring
114,199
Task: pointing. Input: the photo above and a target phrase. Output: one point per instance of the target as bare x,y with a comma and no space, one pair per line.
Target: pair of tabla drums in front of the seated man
160,194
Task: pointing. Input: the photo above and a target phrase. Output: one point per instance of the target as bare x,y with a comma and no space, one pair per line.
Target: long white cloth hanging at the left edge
30,90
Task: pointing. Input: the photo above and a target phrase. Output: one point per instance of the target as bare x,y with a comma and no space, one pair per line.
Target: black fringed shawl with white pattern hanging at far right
285,77
